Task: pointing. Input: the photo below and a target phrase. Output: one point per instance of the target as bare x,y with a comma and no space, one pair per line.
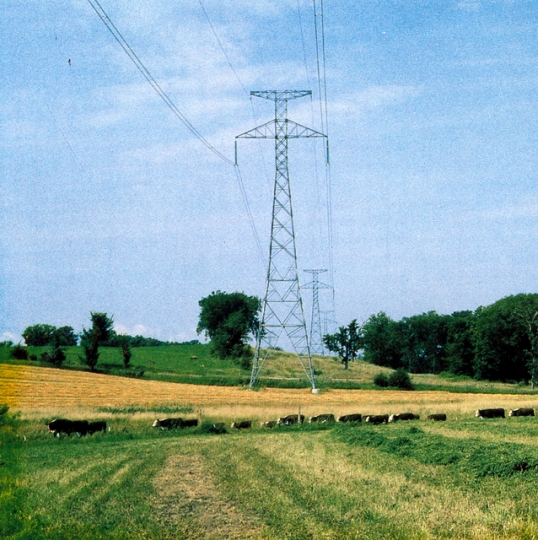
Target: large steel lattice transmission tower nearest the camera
282,310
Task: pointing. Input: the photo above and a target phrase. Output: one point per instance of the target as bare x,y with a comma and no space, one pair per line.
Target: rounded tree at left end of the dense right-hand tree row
382,341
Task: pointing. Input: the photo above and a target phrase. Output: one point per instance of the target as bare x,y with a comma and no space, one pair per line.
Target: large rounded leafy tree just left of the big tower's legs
229,319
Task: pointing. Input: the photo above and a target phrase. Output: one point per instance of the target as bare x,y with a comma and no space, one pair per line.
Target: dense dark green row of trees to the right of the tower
497,342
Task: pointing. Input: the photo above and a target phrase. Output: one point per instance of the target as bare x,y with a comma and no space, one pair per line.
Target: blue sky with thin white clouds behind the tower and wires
108,203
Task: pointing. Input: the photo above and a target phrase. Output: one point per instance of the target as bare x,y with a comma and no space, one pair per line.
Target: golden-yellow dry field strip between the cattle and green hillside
36,391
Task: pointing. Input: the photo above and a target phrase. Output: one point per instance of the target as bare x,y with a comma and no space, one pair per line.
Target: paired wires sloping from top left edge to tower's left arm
101,13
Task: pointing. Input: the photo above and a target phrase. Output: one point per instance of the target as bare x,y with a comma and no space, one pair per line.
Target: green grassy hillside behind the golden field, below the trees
195,365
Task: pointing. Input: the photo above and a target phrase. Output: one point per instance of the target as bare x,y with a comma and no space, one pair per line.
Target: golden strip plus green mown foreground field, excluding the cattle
464,478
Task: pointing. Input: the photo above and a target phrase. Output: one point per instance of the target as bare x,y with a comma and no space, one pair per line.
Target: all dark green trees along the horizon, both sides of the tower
496,342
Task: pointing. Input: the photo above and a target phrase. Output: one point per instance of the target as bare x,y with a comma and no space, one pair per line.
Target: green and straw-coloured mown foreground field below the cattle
405,480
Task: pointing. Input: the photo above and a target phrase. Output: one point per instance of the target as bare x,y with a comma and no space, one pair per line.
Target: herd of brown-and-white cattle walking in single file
83,427
